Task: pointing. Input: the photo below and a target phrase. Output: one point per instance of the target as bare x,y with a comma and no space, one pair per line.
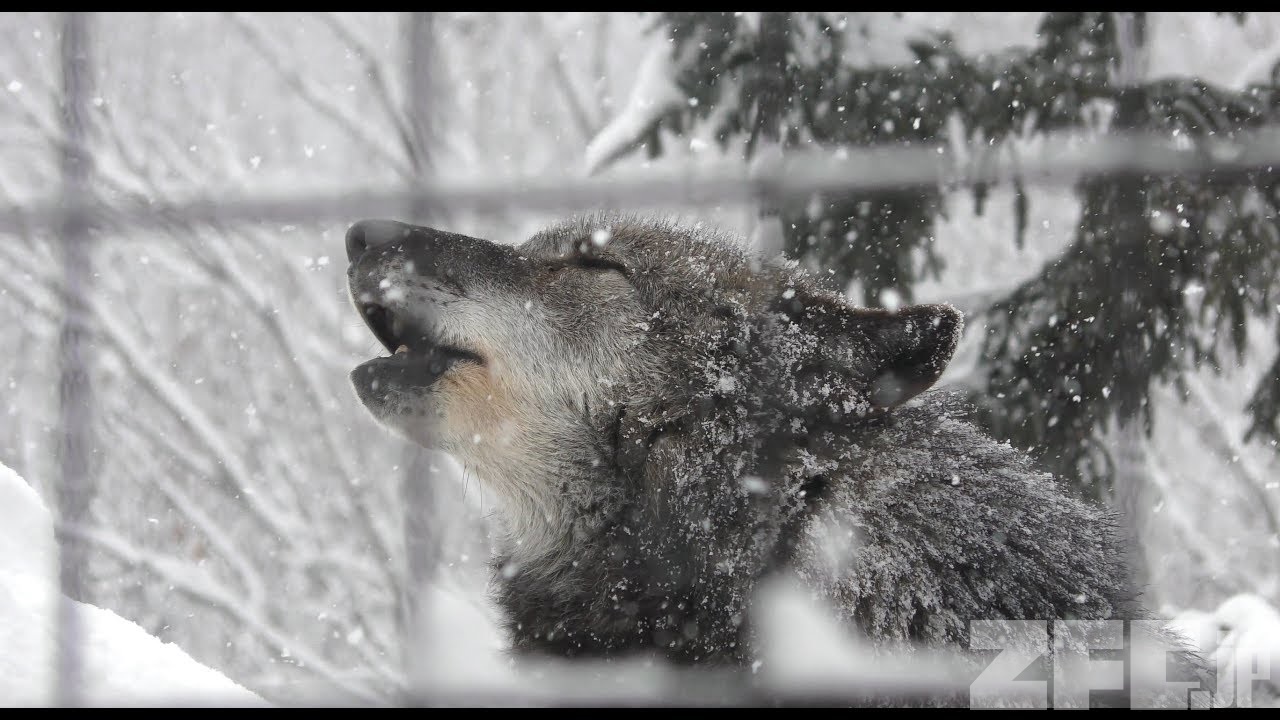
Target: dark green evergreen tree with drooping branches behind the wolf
1081,345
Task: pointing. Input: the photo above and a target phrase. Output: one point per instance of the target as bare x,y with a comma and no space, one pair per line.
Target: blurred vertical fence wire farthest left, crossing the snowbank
75,491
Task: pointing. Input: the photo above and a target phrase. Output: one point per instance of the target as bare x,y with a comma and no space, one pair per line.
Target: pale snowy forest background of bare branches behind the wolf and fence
249,511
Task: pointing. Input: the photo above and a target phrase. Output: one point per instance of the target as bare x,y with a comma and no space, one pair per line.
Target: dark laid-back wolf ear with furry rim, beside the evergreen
907,350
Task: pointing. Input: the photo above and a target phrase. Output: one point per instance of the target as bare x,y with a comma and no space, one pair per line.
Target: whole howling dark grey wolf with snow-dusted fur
668,421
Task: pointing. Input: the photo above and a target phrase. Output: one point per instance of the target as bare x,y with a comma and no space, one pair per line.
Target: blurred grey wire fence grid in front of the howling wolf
1057,160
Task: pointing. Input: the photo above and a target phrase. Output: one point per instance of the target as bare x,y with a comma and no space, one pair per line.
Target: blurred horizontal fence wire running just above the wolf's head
796,175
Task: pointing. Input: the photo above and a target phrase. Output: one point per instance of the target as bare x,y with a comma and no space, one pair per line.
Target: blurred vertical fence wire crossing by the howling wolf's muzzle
422,532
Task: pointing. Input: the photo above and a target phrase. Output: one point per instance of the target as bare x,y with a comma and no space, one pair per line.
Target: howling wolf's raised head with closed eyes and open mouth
552,367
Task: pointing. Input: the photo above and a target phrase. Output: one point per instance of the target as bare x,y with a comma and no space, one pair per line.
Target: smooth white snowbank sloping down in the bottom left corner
122,664
